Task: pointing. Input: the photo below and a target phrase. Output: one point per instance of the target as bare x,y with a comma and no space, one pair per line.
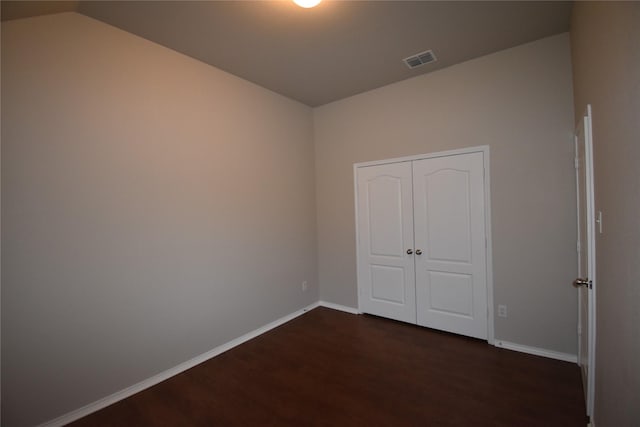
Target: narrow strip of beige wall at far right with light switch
605,42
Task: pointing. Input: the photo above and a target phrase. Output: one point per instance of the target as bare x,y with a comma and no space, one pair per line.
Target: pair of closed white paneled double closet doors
422,241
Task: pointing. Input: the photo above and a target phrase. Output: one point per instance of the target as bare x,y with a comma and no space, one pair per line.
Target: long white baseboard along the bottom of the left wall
156,379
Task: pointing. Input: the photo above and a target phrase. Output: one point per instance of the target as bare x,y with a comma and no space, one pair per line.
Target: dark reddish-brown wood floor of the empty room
328,368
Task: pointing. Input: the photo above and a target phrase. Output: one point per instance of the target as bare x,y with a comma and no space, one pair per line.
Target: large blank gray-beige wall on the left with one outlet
153,208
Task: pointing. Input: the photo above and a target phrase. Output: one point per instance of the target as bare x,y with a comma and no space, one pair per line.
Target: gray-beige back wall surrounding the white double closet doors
519,102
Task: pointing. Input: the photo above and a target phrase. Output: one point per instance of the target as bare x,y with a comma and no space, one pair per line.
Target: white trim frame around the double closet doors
484,149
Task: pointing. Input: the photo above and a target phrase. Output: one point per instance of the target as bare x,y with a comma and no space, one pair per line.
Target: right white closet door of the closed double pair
449,220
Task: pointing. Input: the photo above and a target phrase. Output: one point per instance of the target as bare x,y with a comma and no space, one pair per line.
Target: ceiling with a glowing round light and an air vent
330,52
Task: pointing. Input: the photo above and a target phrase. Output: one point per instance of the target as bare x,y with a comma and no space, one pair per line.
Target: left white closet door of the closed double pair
386,272
